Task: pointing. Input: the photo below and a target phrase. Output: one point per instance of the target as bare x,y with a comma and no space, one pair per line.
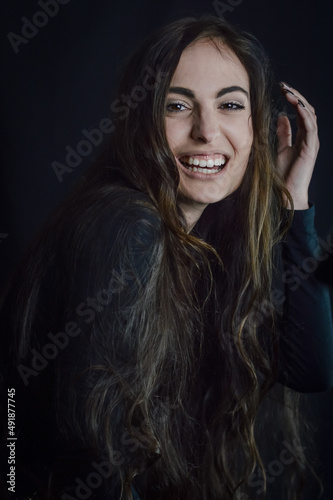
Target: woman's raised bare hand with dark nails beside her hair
296,161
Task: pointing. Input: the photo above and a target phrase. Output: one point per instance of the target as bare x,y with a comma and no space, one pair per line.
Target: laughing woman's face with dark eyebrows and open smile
208,123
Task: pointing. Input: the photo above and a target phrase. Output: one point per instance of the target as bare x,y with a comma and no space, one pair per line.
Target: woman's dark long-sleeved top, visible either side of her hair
75,312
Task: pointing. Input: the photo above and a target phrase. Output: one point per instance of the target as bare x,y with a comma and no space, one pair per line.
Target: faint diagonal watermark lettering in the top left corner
30,27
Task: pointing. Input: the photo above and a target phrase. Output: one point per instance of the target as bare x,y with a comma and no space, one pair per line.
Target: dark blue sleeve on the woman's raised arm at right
307,339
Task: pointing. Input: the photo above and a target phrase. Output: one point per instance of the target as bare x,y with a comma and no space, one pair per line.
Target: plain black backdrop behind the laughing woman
57,81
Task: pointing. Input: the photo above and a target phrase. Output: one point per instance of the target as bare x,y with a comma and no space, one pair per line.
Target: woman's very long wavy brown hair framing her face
190,380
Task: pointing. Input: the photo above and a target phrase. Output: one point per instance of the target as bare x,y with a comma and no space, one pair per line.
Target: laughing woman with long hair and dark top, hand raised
161,311
